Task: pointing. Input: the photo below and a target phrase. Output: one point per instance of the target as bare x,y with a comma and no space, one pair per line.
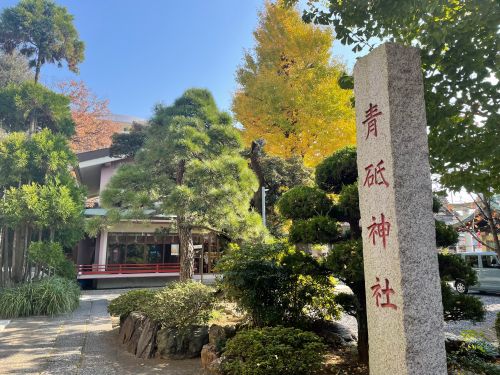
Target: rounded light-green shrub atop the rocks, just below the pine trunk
181,304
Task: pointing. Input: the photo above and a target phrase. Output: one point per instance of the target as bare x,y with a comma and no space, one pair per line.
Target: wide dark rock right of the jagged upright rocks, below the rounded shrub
187,343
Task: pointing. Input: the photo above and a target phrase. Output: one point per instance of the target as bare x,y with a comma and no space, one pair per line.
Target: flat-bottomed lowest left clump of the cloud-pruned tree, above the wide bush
316,230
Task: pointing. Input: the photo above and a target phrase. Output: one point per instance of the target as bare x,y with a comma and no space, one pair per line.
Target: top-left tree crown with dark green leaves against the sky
43,32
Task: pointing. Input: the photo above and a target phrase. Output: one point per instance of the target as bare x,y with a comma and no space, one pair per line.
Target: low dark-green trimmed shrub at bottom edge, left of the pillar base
277,351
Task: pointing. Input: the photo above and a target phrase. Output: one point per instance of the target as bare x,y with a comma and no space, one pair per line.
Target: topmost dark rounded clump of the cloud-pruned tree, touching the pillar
337,170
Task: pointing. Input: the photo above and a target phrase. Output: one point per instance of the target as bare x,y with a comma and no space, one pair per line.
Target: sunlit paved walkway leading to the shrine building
83,342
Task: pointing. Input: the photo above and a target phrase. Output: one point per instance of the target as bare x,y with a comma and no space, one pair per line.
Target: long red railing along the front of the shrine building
110,269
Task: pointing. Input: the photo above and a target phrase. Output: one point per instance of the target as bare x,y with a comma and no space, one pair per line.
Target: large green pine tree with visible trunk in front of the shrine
190,165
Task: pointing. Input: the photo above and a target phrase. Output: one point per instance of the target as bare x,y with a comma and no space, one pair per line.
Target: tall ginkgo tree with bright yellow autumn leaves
288,90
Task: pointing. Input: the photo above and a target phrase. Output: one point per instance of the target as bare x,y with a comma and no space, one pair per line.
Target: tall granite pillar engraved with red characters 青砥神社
405,313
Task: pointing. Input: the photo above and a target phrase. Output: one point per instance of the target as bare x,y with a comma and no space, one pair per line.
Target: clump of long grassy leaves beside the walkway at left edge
50,296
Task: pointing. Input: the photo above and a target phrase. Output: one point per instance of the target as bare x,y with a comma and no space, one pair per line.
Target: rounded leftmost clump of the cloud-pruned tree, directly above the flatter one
304,202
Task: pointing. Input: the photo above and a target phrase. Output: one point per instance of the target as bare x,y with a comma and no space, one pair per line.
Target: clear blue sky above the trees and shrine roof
141,52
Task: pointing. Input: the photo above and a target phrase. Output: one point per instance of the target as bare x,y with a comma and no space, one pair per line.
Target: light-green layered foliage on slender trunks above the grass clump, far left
40,199
